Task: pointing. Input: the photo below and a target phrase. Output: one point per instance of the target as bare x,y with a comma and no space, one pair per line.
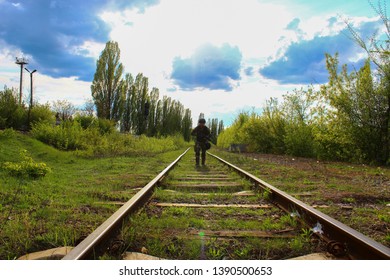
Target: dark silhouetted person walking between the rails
202,133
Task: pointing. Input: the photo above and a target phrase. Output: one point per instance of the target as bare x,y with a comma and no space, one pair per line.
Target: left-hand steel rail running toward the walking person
86,247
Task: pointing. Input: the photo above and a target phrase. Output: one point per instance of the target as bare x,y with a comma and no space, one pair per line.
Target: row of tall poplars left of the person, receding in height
130,103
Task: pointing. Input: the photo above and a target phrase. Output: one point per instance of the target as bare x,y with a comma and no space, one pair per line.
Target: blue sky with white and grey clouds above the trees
219,57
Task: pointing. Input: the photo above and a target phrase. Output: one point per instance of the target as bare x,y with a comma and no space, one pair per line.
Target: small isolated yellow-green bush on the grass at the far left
27,167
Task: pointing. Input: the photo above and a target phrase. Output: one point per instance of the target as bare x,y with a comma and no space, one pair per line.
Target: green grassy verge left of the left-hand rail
66,205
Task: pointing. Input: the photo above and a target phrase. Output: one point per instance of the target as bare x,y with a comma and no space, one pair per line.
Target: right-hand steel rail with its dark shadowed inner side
341,238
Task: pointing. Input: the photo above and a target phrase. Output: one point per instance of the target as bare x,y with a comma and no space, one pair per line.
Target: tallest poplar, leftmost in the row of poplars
107,86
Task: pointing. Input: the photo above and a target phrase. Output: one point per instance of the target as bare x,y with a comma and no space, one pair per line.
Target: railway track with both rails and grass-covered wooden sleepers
220,212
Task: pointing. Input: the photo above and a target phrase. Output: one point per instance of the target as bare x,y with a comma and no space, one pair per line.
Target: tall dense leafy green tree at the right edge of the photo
361,110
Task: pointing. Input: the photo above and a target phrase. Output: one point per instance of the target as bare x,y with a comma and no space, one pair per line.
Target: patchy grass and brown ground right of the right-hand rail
355,194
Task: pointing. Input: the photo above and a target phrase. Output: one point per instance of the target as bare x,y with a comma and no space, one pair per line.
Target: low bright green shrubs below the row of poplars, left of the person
99,139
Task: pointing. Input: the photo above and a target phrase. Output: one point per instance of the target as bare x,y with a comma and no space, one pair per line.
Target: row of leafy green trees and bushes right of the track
346,119
